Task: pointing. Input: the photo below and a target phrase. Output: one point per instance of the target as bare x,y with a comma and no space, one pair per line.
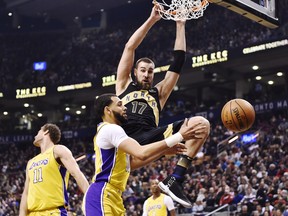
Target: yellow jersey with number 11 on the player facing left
48,182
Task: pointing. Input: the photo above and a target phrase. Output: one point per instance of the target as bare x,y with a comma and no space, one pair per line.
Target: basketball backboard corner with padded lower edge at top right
265,12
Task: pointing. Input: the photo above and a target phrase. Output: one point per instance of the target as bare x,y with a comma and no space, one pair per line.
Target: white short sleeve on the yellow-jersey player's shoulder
110,136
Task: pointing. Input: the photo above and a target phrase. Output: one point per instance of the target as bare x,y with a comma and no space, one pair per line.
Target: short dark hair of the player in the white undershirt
100,103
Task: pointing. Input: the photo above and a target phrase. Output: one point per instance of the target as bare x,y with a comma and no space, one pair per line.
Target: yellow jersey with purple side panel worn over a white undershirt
111,165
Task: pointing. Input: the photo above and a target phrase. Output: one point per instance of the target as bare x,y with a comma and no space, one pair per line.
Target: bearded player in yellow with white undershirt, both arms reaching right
116,154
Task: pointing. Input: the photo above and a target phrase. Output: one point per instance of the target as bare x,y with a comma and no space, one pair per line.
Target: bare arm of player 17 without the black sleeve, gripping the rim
127,59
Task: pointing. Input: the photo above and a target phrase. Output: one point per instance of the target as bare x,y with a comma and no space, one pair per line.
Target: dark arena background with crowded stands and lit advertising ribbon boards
57,57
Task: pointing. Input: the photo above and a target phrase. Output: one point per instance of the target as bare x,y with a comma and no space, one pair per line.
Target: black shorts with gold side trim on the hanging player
149,135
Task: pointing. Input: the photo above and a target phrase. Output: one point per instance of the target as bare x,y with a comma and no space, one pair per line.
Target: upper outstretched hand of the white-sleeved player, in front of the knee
196,131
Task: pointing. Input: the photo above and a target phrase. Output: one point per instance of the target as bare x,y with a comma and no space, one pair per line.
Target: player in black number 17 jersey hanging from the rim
145,102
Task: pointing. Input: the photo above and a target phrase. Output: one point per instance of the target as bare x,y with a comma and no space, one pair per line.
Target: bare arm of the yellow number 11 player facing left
69,162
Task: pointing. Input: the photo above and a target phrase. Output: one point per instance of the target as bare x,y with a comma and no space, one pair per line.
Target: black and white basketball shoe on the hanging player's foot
174,190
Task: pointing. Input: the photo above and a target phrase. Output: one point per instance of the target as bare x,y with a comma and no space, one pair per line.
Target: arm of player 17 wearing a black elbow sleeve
166,86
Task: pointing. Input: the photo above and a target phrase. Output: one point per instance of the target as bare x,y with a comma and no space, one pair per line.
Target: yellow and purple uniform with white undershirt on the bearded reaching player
112,169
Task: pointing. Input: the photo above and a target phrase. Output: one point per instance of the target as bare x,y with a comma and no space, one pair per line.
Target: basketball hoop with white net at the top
181,9
